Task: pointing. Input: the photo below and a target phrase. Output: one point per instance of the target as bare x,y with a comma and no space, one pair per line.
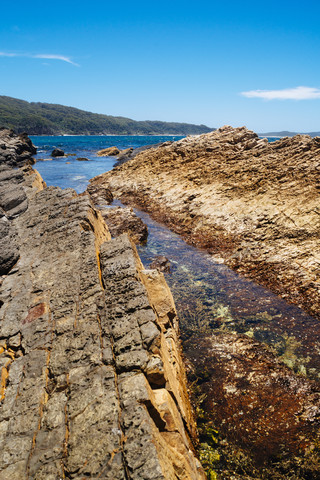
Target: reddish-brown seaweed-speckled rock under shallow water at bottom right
264,419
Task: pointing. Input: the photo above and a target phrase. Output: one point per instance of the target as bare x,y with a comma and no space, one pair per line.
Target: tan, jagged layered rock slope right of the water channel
252,203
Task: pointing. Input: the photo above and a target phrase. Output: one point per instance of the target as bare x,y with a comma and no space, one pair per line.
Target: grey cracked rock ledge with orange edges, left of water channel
92,380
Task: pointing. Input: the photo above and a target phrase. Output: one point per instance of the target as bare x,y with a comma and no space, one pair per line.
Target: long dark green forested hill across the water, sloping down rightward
49,119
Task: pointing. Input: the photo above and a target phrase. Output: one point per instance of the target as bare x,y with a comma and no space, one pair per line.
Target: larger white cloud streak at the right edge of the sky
297,93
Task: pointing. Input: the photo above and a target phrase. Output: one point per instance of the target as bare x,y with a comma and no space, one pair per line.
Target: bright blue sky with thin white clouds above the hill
205,62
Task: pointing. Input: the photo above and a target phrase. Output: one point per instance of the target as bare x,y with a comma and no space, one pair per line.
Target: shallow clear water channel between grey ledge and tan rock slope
211,297
